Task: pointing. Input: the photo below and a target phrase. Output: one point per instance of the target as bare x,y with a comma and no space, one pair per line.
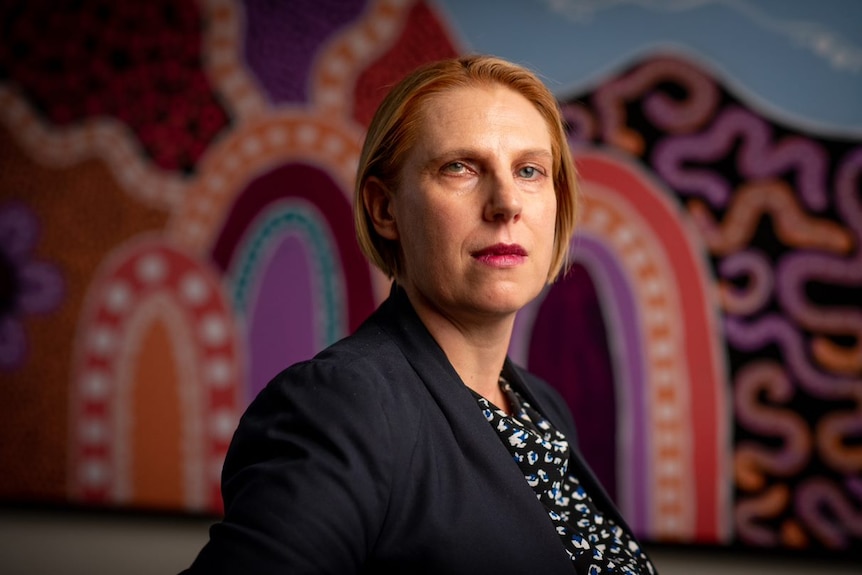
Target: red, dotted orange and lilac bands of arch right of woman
672,439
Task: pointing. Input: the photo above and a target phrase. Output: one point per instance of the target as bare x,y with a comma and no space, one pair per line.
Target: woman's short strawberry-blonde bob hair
395,129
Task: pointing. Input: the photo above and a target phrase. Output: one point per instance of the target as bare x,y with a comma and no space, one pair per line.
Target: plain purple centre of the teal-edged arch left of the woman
281,321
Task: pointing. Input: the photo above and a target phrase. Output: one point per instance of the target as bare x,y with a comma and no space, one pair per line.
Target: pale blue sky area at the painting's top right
798,61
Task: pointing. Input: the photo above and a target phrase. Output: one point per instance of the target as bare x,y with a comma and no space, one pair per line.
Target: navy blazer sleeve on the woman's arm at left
306,478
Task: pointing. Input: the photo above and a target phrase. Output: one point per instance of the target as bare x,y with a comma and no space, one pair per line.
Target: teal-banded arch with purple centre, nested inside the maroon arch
288,286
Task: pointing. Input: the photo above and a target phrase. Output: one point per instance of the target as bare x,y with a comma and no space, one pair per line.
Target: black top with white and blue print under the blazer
595,543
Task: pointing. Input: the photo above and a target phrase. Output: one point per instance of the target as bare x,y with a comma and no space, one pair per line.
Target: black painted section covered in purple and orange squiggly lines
781,215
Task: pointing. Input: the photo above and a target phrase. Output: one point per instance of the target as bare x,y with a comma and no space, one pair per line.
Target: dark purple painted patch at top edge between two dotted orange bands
282,40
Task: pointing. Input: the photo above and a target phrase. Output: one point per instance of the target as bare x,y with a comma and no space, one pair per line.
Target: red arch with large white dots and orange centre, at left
130,405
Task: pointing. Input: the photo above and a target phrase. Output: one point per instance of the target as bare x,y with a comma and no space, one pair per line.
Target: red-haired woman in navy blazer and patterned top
415,445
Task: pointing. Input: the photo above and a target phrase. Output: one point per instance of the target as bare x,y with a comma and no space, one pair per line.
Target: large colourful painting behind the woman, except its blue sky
176,227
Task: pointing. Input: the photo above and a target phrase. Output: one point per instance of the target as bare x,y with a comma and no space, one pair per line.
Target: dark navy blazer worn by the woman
374,457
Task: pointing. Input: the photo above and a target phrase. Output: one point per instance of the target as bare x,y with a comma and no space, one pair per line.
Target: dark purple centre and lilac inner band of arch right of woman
580,351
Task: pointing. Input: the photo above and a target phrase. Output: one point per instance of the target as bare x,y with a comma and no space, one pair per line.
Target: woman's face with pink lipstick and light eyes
475,209
